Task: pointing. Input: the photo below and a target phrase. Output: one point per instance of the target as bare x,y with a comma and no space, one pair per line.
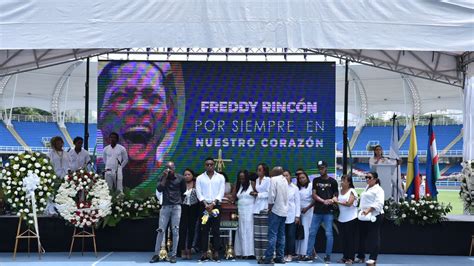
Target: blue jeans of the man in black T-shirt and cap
315,223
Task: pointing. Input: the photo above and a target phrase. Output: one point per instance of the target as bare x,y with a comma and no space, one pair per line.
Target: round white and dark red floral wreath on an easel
83,199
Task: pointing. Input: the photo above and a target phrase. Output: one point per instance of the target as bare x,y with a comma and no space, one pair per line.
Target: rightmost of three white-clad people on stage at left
115,159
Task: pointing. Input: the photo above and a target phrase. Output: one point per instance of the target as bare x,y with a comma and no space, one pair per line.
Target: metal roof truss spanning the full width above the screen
441,67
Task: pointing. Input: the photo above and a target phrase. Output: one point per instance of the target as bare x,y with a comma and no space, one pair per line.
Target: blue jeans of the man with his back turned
276,237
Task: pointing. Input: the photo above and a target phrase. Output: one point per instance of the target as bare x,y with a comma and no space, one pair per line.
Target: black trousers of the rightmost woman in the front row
369,237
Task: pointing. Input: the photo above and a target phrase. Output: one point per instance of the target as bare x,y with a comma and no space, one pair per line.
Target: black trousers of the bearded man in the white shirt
213,225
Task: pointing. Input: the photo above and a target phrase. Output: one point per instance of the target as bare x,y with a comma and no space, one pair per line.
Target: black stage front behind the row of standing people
448,238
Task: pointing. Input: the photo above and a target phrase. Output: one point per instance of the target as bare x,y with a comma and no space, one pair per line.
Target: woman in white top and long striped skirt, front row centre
261,187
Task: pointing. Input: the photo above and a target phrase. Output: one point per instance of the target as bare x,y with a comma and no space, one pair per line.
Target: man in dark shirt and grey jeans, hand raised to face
172,186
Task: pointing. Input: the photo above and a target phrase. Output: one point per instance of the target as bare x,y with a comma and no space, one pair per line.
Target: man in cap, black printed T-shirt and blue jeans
324,193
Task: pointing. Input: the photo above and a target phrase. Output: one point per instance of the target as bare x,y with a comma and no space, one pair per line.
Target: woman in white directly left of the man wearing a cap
306,202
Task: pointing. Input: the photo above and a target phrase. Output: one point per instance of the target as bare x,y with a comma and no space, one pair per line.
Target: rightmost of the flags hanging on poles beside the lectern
432,168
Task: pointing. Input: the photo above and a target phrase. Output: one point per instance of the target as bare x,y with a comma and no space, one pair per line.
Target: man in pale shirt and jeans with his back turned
278,210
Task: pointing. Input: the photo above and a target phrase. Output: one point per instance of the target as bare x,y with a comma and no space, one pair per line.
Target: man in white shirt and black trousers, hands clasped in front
210,187
